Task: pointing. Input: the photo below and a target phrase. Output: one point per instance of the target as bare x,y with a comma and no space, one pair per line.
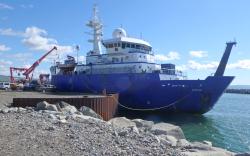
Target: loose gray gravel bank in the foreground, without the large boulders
34,133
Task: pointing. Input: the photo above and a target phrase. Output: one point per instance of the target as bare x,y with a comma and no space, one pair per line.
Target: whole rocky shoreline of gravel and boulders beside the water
61,129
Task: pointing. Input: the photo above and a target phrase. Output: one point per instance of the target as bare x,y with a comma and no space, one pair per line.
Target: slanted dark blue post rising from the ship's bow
222,66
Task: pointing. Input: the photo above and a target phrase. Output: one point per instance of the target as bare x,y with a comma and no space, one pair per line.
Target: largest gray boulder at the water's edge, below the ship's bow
167,129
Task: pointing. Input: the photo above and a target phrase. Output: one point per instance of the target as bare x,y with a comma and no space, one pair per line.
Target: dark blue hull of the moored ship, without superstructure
146,92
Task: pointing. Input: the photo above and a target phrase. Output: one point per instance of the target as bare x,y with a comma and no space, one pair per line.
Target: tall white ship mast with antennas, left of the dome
96,25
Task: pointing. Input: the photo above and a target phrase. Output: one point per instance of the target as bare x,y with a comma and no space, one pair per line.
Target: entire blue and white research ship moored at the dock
128,67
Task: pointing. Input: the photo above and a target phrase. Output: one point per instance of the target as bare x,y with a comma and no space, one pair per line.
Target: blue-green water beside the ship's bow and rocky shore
227,125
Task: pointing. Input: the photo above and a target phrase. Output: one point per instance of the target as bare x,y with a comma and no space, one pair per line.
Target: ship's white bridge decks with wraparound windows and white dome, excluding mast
122,49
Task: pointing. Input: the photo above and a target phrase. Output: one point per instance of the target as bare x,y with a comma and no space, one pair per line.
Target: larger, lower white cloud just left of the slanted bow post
193,65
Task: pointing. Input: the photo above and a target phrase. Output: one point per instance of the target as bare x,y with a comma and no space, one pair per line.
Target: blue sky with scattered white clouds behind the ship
190,33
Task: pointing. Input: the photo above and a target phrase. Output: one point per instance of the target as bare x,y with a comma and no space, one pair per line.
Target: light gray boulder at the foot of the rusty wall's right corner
121,122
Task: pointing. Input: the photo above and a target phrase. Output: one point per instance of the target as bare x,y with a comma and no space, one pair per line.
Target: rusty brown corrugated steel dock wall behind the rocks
104,105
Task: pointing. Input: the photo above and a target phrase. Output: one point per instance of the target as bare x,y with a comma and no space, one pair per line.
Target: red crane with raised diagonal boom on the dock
28,71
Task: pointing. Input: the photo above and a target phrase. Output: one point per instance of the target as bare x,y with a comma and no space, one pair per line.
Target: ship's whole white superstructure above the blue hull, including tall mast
122,54
